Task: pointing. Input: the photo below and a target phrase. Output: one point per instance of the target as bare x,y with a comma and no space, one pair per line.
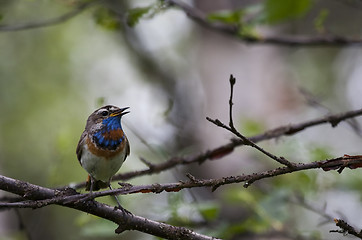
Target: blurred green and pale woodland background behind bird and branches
172,73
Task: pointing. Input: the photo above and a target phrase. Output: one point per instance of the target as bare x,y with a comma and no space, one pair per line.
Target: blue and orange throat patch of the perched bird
111,135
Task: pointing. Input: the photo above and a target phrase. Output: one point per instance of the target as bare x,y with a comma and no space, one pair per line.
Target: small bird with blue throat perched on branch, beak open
103,147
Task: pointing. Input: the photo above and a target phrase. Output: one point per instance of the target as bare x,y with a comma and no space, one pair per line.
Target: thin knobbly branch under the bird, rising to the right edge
64,197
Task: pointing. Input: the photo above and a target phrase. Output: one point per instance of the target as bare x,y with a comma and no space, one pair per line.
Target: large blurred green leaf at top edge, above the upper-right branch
281,10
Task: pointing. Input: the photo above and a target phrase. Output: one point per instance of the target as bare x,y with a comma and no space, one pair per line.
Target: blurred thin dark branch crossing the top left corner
50,22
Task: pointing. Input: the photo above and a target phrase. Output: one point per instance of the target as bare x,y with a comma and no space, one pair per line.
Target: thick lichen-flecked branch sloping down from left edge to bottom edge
124,220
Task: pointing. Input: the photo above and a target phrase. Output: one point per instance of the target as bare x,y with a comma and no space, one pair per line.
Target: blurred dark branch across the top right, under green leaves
234,31
